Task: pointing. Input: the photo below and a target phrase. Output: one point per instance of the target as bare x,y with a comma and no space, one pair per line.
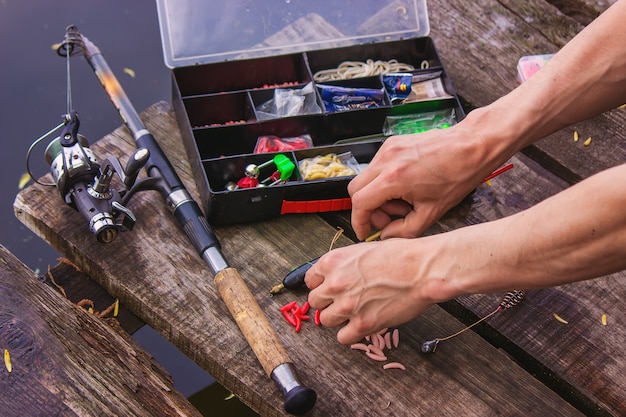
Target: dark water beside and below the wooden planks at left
33,94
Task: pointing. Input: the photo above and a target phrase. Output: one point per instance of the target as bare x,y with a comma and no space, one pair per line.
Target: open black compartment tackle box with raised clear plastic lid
228,58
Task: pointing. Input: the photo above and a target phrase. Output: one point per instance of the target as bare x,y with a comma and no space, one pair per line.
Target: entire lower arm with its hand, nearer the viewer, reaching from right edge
578,234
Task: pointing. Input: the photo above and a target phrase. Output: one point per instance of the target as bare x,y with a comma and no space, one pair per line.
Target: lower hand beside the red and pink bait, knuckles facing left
367,287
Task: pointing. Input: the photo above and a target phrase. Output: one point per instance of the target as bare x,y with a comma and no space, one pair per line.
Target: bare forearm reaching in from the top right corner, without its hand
585,78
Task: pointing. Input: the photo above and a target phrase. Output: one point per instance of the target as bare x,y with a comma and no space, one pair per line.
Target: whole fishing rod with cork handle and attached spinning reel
75,169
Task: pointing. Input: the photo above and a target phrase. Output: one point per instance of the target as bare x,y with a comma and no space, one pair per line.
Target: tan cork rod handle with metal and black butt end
263,340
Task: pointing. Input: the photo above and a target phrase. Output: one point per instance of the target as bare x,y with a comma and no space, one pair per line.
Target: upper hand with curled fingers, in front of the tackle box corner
413,180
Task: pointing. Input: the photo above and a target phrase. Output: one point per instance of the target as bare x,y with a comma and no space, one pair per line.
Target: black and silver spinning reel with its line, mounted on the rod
85,184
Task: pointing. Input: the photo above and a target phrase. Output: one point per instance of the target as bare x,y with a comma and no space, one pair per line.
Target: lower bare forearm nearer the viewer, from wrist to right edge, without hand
578,234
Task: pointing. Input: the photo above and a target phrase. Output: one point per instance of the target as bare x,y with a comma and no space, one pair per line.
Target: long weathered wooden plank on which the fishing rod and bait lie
157,275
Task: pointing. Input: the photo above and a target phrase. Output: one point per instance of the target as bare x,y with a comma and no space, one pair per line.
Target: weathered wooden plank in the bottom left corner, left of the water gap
66,361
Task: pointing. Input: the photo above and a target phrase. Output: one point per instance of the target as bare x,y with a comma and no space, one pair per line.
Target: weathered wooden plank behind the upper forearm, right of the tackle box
480,43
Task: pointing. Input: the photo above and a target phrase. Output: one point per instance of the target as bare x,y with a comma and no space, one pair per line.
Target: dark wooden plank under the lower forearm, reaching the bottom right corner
580,360
